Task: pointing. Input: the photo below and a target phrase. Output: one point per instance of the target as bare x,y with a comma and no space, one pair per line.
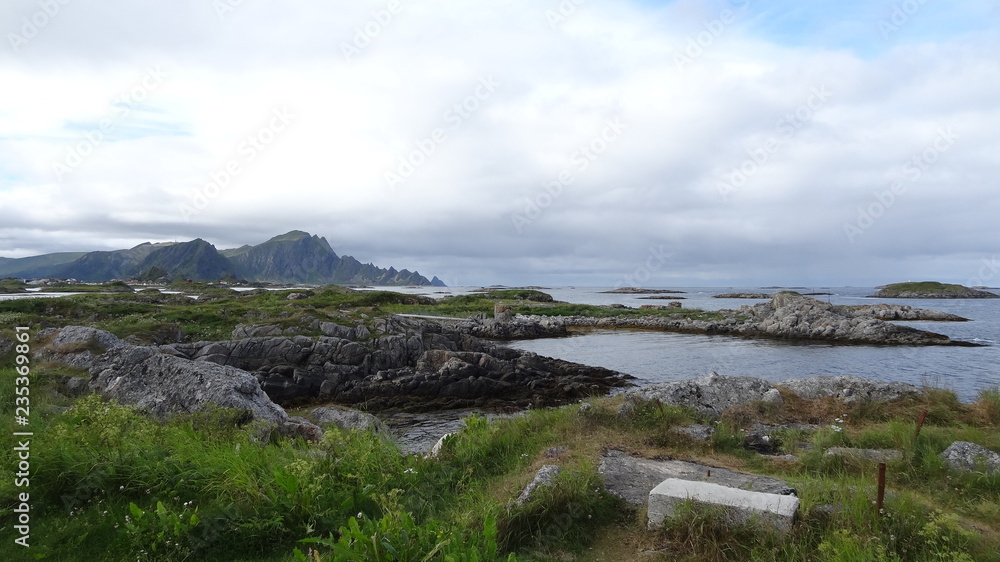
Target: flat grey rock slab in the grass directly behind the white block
632,478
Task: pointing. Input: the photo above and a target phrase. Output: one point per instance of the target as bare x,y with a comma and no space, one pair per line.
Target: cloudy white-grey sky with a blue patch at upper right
519,142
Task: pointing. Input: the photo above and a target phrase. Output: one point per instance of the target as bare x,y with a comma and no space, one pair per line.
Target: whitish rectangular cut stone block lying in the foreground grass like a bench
740,505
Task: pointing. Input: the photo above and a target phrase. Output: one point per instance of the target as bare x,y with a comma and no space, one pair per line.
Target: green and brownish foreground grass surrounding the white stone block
204,487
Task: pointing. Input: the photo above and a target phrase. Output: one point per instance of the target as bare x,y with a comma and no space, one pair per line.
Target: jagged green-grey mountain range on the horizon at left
294,257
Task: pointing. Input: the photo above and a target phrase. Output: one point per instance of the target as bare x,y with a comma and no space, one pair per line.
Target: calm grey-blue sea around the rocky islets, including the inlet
654,357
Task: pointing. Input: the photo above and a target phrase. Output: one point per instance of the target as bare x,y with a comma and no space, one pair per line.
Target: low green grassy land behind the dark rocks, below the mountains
148,314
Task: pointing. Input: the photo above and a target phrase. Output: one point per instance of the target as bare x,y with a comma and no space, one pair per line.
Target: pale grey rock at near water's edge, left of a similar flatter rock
709,395
